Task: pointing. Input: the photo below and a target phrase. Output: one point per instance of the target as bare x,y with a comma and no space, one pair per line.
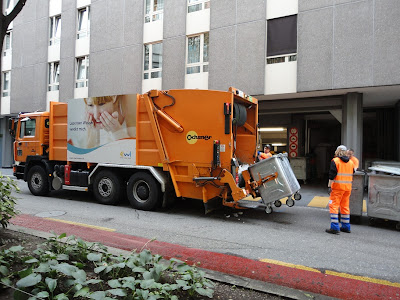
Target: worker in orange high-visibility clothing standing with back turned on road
340,182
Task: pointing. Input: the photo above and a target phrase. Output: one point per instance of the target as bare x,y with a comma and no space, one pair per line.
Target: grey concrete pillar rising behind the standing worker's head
352,123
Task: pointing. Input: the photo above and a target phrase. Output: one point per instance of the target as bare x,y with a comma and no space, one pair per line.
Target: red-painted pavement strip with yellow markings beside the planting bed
291,281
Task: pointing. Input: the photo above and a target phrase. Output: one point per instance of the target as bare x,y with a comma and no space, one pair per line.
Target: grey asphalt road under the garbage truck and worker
292,235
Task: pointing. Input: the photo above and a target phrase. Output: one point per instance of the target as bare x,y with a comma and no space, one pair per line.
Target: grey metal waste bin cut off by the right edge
383,197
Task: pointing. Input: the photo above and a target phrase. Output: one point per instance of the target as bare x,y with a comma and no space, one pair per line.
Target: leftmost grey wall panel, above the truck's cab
29,60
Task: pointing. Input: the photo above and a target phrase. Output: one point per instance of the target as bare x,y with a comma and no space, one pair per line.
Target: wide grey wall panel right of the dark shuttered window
347,43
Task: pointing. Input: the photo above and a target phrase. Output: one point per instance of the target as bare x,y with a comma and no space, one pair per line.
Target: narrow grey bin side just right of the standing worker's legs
357,196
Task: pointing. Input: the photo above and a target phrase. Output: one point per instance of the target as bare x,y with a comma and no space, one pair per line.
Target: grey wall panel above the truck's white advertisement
116,47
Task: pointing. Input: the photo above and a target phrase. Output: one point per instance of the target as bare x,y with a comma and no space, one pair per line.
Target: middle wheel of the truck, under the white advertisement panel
107,188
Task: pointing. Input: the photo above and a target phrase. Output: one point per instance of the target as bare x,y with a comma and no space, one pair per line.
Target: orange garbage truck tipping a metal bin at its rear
151,148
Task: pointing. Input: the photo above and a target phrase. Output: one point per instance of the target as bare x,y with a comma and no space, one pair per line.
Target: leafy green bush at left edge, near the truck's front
7,201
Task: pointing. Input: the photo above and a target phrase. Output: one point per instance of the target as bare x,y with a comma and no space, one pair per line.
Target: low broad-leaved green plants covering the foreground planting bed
78,269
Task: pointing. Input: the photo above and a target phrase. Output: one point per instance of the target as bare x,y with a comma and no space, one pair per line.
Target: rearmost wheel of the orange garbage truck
143,191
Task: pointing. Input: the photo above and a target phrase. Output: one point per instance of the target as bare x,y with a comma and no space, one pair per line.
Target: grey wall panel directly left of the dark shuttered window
237,45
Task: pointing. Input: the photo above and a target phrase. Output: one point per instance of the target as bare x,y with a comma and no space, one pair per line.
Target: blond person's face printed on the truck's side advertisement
95,106
